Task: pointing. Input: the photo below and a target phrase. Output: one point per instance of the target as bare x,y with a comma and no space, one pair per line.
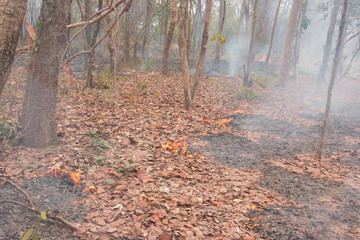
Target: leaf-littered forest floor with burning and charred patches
254,177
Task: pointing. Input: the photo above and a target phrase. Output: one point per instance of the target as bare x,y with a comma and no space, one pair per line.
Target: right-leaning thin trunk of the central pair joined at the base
202,54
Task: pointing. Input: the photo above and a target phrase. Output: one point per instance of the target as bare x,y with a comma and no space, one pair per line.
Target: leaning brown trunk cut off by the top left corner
11,18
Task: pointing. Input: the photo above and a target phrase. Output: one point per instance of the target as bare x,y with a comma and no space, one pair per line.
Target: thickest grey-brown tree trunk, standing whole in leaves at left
39,108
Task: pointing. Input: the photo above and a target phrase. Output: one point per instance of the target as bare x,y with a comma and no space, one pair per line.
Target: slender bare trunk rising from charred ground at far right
332,80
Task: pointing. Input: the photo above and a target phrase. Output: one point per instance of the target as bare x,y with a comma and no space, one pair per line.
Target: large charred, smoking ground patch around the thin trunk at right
322,208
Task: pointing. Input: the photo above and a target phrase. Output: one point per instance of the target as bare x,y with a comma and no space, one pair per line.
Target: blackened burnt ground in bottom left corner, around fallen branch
50,194
